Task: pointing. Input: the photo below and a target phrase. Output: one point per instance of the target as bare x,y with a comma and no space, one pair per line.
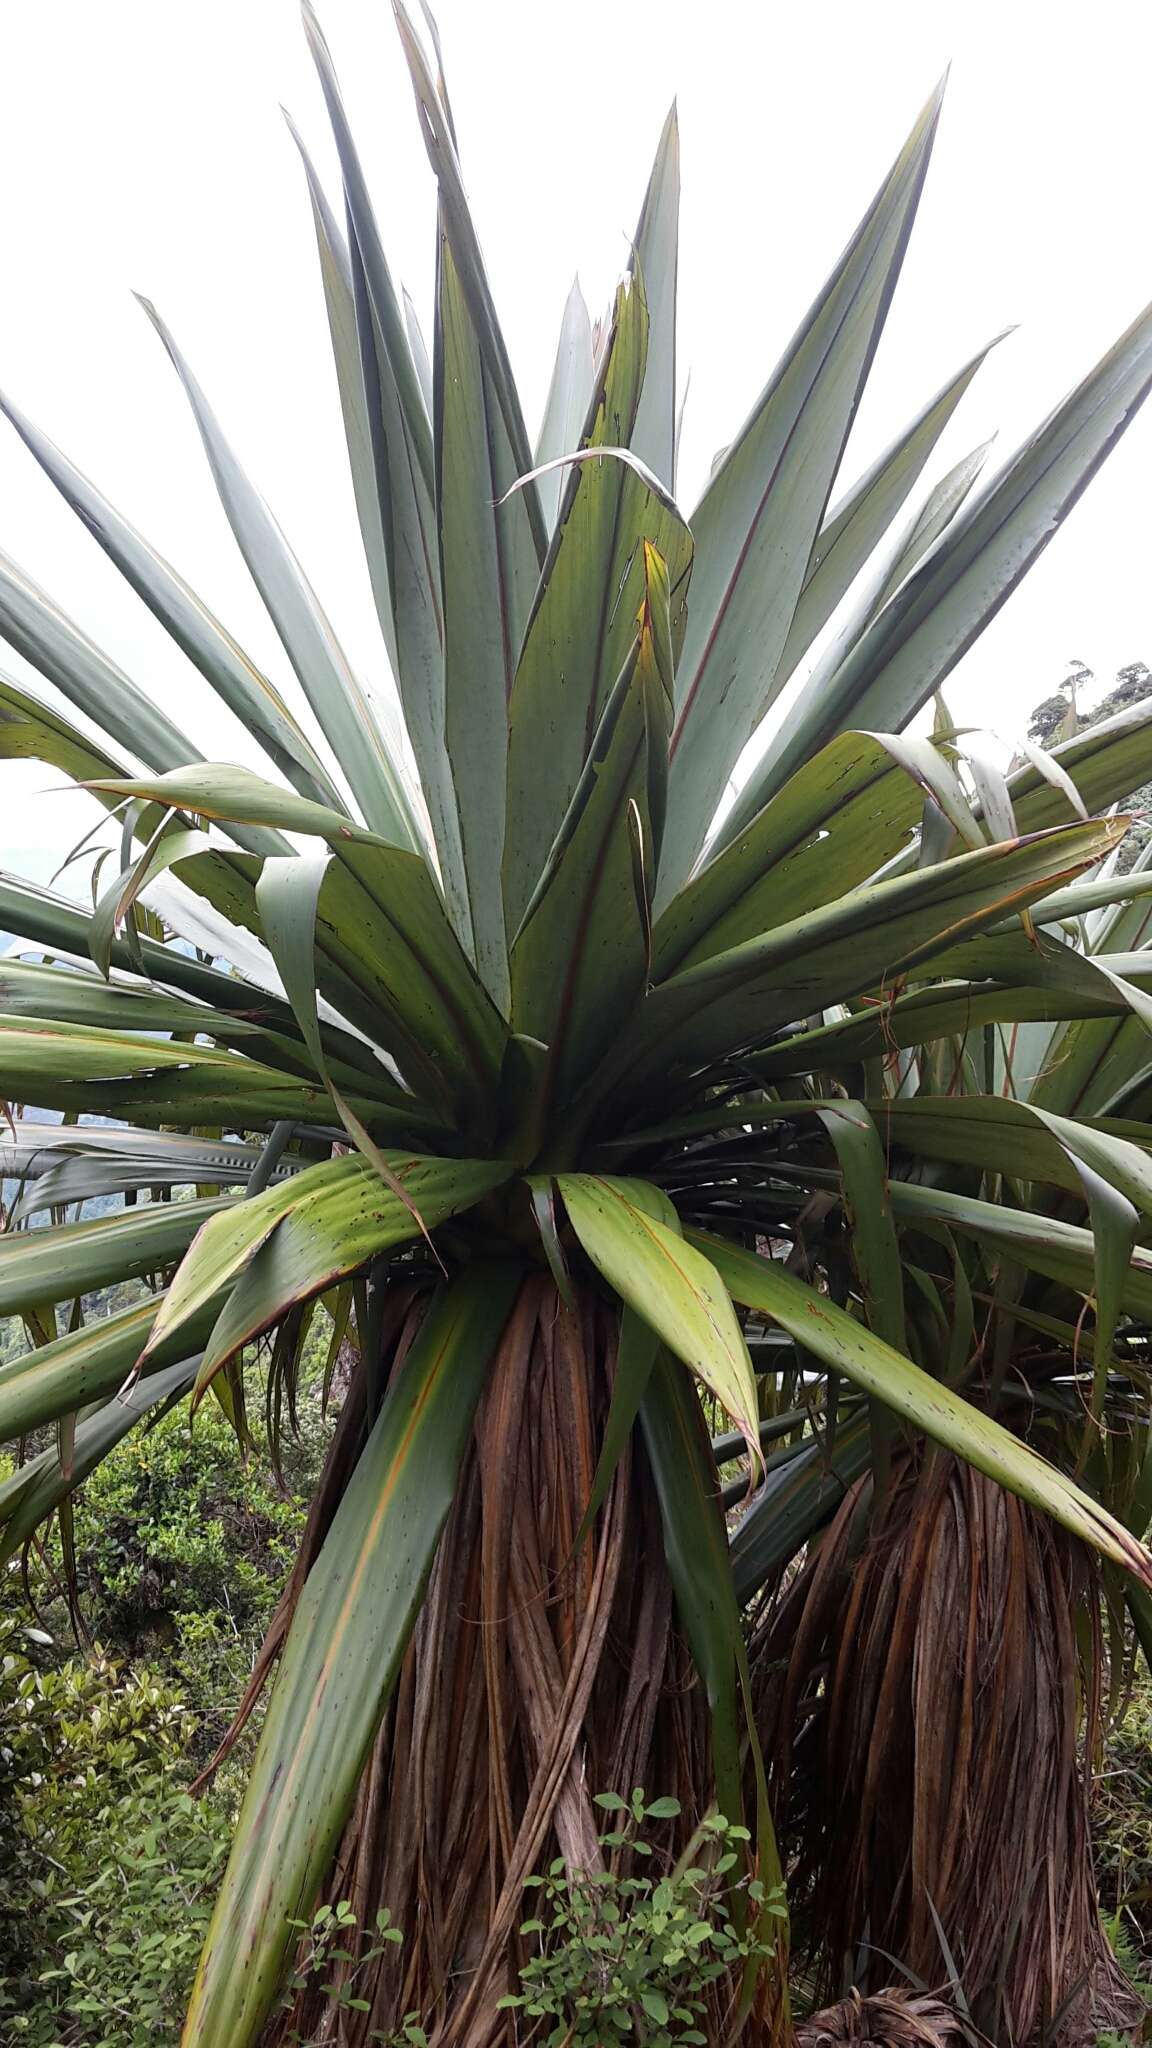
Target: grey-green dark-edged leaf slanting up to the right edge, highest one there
944,607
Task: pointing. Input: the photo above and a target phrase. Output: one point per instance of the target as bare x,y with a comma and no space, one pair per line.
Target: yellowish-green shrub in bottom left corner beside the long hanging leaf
108,1869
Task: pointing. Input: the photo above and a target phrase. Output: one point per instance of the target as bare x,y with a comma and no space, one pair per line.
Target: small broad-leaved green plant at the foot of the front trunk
624,1959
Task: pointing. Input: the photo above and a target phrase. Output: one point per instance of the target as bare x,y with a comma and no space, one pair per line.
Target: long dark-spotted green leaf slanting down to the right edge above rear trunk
923,1402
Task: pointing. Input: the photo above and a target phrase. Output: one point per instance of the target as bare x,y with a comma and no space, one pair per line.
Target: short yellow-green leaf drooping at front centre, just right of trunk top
669,1285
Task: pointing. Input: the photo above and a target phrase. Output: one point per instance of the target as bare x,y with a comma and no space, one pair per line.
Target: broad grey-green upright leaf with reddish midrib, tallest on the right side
762,513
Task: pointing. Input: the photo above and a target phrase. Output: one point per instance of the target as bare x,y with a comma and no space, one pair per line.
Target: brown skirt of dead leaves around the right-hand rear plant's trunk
930,1711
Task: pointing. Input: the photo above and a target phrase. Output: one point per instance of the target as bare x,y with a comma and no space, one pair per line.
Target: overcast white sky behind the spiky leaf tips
142,146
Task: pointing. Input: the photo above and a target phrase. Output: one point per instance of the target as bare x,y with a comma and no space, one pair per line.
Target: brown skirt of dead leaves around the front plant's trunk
540,1674
